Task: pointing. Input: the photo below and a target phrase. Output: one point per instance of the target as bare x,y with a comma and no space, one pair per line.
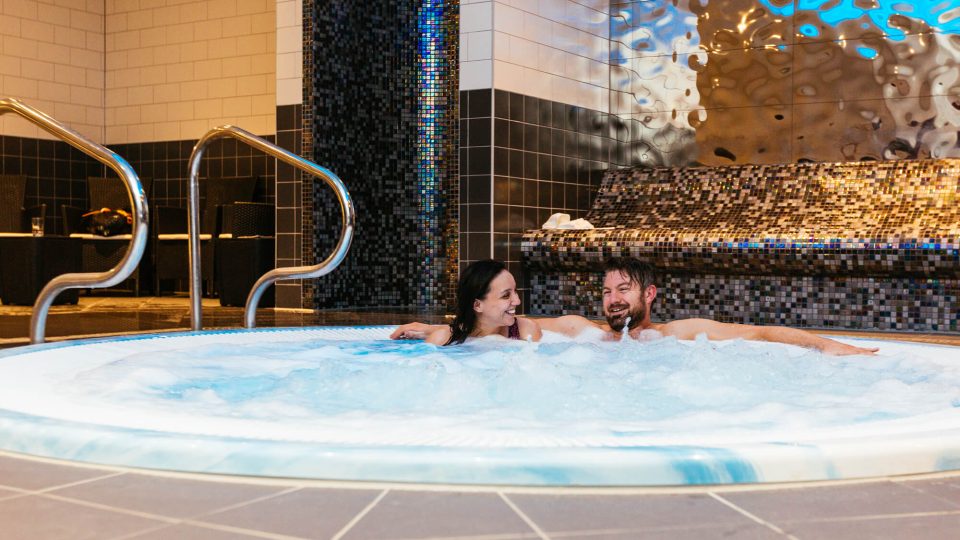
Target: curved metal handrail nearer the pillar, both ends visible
277,274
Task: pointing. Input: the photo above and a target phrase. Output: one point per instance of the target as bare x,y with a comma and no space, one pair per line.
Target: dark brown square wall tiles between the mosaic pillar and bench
523,159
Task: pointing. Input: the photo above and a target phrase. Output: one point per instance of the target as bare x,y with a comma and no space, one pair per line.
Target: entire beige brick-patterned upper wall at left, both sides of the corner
132,70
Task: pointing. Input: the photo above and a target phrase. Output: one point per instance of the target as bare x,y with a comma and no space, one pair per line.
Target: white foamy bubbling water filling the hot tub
347,386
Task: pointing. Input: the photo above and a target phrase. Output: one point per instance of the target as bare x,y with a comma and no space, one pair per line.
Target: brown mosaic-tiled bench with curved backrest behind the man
865,245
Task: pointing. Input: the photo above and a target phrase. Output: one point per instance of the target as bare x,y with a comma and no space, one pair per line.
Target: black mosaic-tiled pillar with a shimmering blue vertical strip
381,113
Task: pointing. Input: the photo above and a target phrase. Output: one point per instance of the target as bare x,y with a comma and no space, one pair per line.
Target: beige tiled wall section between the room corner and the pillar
180,67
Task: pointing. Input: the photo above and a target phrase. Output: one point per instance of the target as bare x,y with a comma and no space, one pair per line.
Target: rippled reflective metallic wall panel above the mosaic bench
777,81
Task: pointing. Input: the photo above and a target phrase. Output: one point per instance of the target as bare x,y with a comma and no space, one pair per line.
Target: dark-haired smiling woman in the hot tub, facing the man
487,303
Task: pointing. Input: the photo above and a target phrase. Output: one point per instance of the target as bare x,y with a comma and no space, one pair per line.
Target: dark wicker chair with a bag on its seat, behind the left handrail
100,253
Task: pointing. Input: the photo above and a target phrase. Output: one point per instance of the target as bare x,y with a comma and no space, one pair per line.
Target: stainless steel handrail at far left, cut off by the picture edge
138,202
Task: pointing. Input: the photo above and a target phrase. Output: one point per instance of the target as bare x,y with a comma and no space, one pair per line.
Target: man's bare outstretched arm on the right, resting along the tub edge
691,328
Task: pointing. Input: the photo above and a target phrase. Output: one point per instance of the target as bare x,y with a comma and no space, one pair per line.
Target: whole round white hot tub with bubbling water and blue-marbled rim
349,404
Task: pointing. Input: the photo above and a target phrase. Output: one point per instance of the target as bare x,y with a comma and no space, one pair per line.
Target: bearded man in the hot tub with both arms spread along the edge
628,295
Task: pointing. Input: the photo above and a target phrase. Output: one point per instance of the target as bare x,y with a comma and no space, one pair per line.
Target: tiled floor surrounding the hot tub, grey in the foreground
45,499
